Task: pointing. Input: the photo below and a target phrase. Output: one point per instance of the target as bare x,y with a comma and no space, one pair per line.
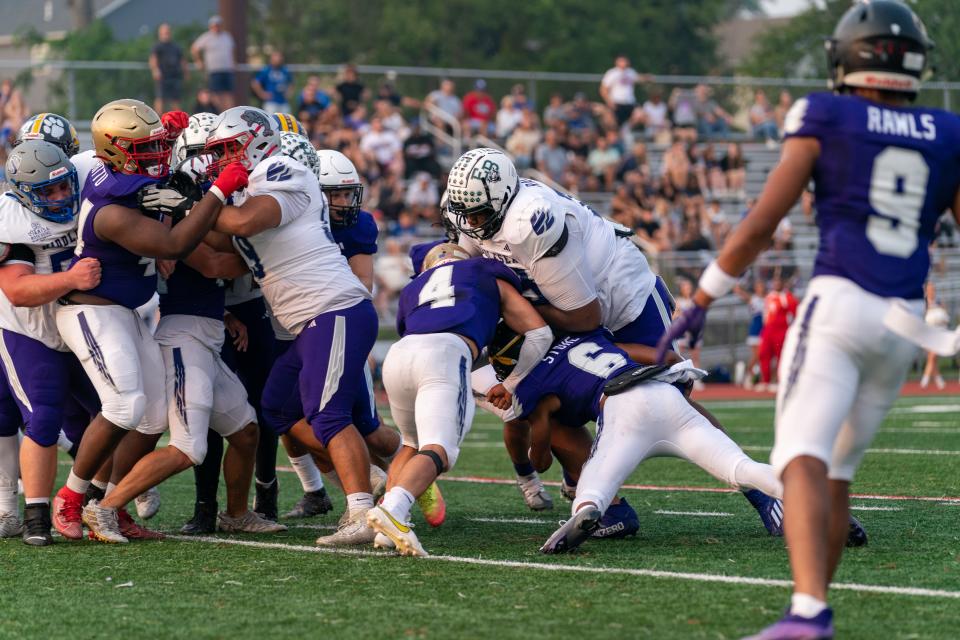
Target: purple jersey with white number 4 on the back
459,297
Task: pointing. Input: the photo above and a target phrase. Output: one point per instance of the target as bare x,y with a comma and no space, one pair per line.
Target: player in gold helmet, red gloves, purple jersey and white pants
100,325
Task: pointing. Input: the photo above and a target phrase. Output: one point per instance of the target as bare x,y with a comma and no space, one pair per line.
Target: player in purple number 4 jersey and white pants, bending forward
445,317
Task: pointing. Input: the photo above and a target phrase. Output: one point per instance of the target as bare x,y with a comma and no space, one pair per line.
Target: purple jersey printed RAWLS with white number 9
884,176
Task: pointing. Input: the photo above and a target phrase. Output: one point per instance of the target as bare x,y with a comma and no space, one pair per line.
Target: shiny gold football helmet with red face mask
128,135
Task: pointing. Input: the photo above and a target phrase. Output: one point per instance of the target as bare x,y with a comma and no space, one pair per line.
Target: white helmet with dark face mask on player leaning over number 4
482,182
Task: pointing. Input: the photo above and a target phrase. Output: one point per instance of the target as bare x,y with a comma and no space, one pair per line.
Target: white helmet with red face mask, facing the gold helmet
242,134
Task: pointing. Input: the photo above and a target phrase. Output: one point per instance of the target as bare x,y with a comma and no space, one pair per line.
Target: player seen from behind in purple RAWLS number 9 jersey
884,173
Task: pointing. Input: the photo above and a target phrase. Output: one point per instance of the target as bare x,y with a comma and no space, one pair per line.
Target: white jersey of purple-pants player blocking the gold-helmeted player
297,264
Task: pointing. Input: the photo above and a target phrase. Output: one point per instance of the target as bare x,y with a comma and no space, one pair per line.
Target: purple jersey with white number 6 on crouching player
575,370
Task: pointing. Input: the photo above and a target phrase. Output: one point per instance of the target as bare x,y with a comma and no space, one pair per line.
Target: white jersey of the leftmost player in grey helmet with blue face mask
51,245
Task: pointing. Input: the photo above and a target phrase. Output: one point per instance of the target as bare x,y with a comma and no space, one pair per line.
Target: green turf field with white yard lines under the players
684,576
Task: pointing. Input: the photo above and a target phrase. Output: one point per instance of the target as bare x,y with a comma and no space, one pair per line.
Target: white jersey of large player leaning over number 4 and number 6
571,253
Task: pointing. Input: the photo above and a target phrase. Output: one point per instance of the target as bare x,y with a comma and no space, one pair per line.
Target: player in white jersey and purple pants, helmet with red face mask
280,227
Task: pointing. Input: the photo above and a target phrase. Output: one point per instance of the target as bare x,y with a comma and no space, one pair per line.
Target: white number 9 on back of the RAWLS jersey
898,188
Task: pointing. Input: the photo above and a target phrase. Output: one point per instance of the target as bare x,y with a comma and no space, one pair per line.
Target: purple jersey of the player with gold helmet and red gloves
128,280
